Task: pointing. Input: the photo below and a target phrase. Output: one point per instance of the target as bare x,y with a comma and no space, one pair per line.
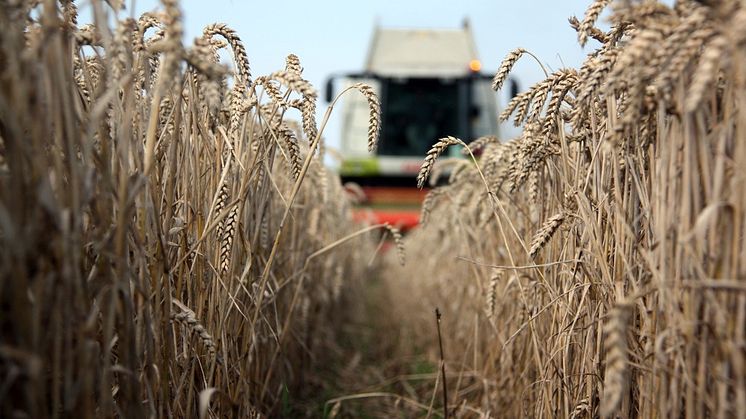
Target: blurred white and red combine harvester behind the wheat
430,86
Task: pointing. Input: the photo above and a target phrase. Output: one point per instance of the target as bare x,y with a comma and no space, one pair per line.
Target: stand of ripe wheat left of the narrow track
171,245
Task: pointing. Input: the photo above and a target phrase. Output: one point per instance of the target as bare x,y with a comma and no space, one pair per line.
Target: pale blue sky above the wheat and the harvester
332,36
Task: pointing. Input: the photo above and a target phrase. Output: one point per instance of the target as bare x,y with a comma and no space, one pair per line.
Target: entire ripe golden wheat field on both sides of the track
172,244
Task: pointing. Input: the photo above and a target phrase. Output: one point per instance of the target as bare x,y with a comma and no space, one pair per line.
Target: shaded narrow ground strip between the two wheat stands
371,370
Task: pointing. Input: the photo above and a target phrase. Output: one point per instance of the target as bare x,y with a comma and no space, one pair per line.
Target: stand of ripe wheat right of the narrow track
600,271
